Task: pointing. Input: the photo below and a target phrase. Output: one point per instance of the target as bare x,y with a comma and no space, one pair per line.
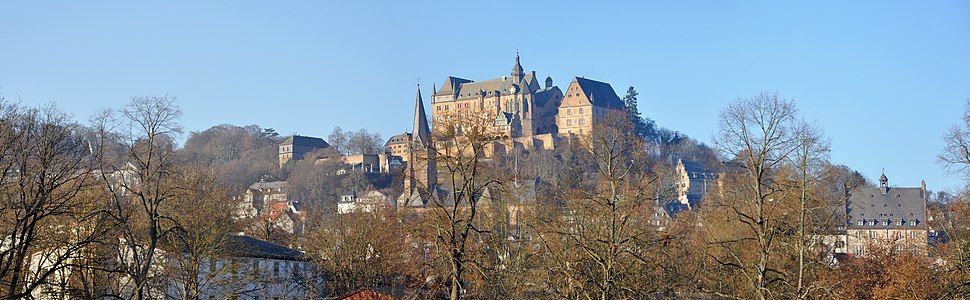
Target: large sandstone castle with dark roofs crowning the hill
533,116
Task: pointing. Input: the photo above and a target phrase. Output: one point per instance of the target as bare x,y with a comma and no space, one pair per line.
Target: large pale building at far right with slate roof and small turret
886,217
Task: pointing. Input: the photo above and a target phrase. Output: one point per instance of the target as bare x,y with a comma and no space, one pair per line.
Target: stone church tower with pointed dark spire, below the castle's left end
421,174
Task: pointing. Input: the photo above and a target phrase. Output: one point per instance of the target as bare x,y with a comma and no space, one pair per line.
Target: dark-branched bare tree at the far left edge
45,171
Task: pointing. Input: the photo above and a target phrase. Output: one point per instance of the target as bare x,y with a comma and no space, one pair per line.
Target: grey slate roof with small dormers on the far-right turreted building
874,207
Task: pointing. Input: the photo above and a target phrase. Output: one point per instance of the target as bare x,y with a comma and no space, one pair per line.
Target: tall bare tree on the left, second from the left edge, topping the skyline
141,181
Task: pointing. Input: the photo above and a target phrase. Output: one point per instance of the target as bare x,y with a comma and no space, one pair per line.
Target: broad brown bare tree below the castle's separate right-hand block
597,244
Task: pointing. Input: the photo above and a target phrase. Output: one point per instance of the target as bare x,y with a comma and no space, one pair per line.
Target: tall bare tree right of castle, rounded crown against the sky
756,133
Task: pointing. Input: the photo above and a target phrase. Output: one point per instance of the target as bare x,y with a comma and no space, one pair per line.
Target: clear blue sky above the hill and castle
883,78
